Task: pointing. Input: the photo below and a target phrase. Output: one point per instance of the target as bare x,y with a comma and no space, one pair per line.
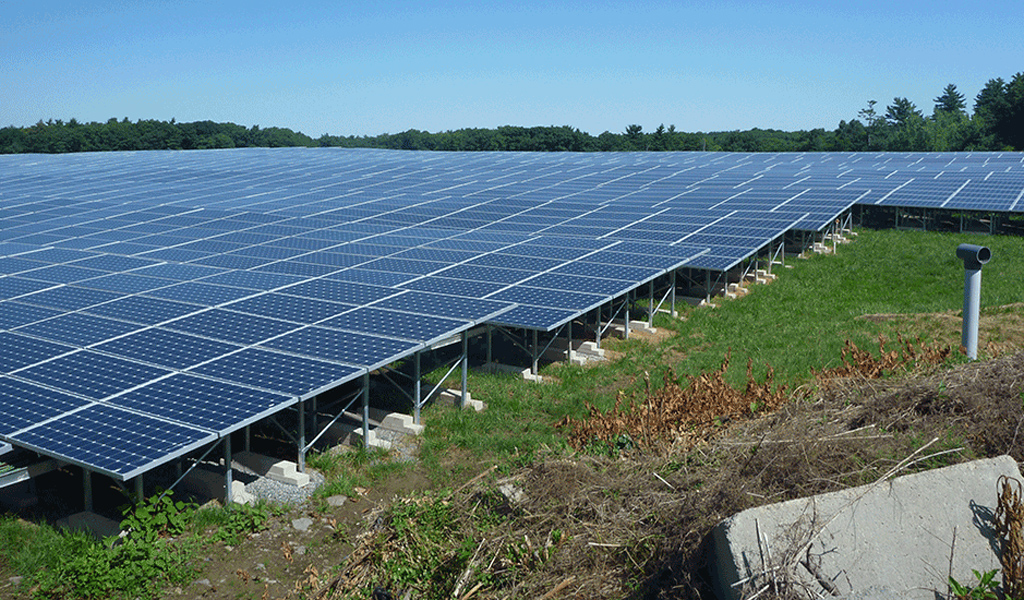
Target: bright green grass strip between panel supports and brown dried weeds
798,323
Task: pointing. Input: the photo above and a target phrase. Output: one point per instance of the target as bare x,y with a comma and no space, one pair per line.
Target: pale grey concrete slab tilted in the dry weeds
898,535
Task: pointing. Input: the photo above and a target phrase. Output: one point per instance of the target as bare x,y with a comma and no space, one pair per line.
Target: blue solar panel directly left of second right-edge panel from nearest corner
92,375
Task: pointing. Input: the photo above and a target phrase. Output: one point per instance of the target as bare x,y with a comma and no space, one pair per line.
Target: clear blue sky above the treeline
355,67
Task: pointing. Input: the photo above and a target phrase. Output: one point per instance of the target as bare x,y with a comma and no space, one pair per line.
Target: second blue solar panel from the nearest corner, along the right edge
211,405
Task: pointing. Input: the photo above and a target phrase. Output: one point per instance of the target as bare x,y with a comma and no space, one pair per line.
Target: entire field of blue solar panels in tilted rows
155,303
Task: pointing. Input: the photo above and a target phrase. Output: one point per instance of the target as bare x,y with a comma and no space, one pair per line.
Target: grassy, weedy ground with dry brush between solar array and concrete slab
605,481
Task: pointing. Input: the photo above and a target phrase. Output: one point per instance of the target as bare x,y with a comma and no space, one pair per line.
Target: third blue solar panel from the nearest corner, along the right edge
283,373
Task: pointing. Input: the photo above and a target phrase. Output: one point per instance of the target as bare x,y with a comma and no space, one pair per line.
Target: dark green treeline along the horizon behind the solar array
997,123
